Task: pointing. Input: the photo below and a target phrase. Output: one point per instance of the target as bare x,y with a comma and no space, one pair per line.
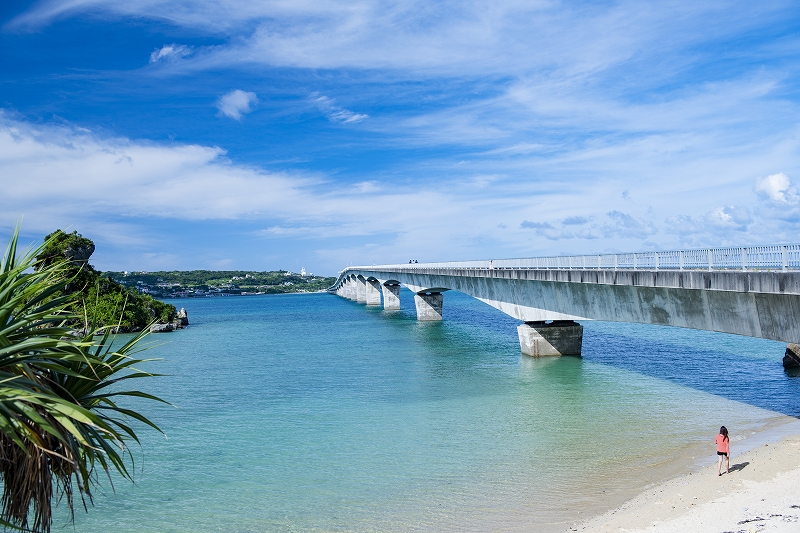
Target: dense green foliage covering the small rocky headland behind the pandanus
100,299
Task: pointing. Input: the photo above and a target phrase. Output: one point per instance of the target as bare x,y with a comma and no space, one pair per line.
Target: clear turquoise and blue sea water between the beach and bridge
310,412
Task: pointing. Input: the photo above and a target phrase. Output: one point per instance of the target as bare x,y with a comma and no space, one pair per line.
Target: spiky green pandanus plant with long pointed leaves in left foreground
60,423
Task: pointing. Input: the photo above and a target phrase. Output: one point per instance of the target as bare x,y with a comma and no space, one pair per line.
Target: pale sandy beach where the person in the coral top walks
761,493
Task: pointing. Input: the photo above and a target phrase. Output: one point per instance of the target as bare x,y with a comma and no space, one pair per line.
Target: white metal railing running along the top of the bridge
777,257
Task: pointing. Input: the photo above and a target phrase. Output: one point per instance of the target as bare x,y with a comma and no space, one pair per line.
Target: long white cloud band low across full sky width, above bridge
118,183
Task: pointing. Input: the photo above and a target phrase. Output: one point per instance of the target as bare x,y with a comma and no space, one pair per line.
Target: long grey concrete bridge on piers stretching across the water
752,291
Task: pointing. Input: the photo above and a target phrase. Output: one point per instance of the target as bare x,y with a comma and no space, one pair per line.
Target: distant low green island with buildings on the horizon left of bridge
204,283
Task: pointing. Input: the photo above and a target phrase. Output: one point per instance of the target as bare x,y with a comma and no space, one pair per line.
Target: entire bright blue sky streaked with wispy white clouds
265,135
